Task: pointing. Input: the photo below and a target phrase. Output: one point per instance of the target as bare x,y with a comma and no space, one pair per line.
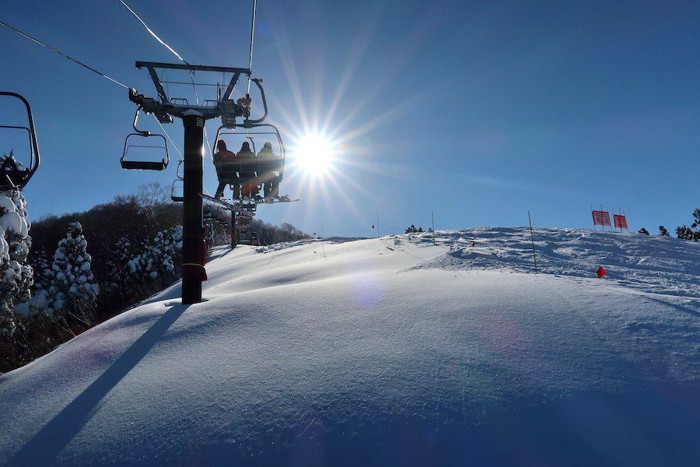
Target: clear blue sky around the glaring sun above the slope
477,111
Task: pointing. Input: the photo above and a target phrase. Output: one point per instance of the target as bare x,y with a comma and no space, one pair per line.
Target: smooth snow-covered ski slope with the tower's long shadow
403,350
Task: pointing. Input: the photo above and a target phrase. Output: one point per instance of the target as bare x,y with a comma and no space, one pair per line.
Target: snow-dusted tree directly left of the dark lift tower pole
159,256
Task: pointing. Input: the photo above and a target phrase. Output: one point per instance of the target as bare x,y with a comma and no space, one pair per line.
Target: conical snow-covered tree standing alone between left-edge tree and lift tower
73,291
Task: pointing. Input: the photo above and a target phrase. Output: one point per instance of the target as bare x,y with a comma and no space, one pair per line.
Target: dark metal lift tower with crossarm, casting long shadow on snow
193,118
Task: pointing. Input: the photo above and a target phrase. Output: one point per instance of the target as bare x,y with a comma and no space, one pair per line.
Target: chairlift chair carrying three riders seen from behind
244,172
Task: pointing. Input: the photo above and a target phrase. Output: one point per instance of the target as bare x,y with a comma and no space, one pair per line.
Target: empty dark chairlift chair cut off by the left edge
13,174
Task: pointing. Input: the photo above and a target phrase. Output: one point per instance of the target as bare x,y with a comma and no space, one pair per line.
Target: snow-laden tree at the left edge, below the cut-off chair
16,276
